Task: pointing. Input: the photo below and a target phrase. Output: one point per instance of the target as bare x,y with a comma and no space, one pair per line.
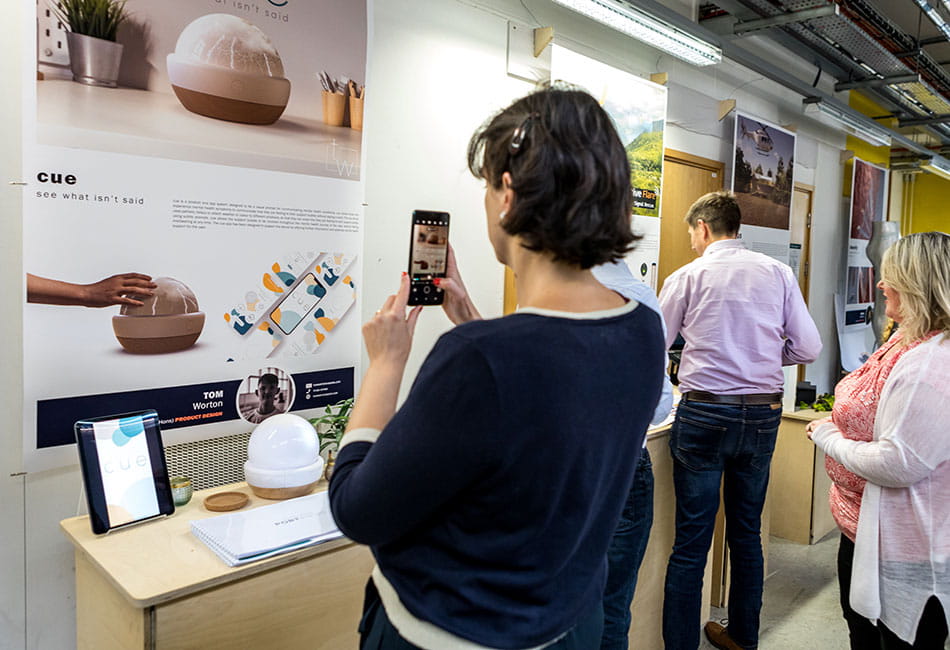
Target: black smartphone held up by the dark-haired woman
428,256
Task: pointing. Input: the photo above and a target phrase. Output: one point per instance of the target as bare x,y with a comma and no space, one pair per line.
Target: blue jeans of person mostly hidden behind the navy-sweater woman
625,554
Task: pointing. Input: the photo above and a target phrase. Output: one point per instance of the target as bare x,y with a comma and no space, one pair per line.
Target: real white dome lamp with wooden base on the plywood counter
283,458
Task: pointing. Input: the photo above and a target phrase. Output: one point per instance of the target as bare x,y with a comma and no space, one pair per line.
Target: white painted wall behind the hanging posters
437,70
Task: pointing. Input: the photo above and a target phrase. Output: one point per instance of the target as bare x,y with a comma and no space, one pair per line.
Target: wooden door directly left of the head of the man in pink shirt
685,178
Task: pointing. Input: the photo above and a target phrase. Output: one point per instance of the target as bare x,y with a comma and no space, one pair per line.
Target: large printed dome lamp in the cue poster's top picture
225,67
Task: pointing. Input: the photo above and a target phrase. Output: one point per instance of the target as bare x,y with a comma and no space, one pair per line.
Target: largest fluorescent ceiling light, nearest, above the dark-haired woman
652,31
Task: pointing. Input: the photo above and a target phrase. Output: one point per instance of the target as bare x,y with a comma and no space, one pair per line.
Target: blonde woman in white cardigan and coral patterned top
897,571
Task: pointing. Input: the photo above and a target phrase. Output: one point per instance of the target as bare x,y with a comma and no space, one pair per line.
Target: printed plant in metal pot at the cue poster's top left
94,56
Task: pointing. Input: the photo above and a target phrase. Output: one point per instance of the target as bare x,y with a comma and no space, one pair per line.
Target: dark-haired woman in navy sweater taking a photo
490,496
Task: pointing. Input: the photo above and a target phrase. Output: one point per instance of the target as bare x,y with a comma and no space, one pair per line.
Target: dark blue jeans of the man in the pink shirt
712,443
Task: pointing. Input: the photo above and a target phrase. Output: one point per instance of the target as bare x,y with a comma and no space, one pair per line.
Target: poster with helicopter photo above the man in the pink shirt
762,180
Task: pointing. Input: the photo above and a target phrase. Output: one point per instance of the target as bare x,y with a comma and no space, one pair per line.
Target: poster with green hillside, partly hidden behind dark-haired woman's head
638,109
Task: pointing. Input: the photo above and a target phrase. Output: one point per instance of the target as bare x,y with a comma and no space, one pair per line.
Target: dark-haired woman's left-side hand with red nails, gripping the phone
388,335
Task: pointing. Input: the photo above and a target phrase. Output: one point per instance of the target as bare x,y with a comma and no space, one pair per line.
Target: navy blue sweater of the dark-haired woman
491,496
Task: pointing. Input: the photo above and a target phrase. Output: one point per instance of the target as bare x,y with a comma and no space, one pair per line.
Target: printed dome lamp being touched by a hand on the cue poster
167,321
